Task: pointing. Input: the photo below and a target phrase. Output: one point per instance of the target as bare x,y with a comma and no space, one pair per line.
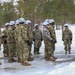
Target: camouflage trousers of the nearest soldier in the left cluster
23,51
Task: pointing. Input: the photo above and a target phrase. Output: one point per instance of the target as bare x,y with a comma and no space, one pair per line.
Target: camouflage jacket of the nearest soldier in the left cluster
21,34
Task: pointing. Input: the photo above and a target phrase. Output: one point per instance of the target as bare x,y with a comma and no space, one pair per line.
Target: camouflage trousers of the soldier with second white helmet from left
11,49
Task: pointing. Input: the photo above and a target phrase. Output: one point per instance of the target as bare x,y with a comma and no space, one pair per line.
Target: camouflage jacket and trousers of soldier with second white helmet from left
11,42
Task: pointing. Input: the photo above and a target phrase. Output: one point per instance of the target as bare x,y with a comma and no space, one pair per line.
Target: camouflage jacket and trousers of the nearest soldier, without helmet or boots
22,40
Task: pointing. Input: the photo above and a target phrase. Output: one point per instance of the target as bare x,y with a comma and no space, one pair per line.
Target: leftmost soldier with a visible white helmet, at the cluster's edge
4,39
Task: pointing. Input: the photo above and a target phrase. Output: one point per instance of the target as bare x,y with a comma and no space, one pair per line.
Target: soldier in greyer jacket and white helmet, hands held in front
47,42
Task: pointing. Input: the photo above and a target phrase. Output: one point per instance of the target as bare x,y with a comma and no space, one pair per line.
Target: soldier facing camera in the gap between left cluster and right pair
37,38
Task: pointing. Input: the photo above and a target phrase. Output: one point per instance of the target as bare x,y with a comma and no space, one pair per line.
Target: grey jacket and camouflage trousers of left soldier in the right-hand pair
47,42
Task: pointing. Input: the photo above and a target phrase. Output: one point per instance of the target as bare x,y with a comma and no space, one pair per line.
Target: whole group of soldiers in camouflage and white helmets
18,37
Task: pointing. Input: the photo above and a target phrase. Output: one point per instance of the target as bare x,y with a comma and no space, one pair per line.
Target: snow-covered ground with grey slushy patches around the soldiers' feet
64,65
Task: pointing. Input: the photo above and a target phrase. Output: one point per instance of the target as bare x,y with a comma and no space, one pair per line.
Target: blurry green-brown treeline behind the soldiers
63,11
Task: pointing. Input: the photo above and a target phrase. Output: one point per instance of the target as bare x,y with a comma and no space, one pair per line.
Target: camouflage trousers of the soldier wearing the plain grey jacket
48,49
